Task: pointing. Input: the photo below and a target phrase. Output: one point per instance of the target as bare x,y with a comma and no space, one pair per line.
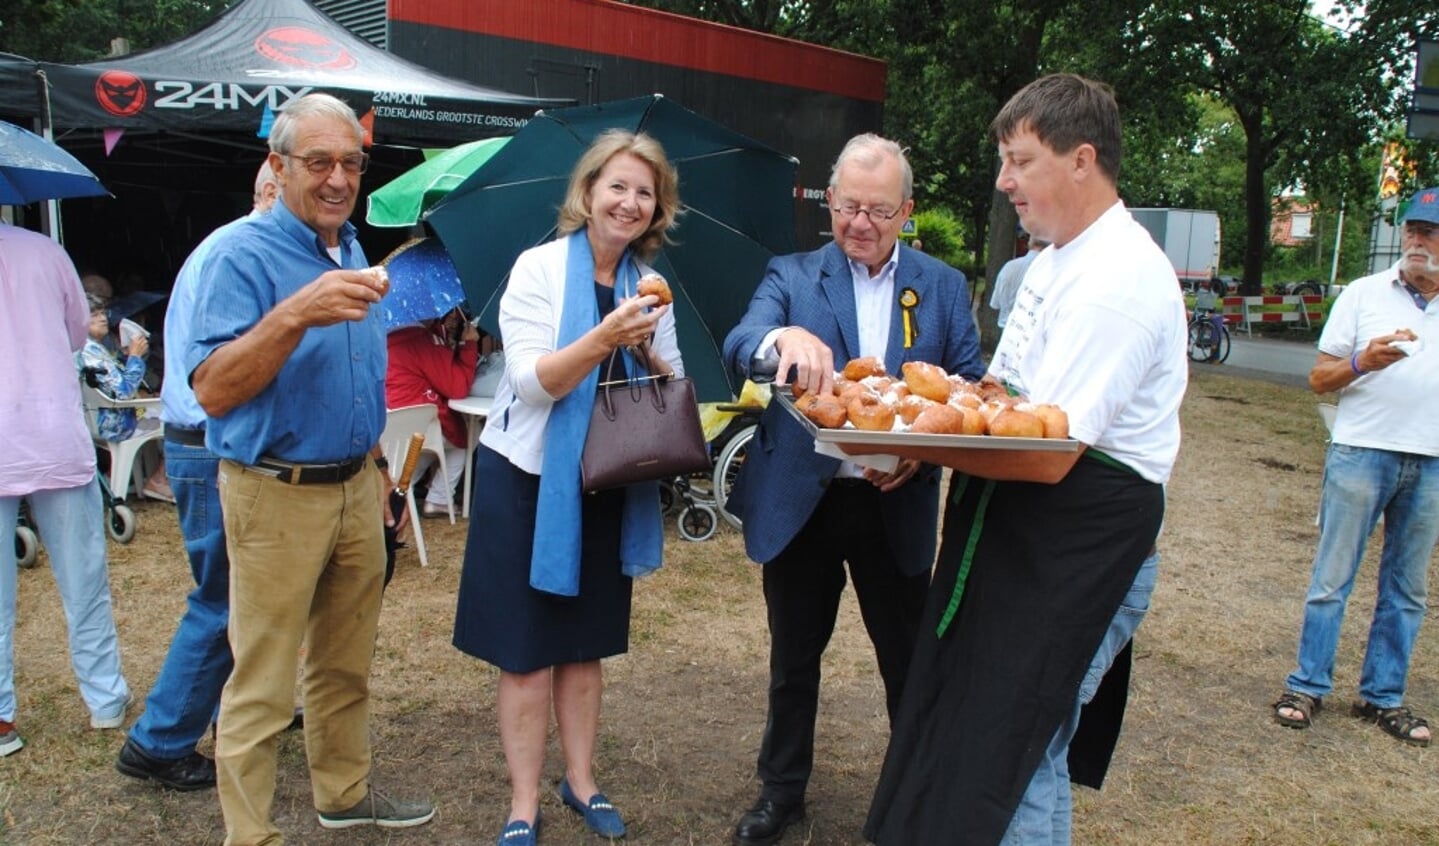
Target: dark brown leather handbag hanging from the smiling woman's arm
641,431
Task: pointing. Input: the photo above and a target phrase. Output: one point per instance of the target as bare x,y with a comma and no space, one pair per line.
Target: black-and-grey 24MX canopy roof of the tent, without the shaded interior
251,61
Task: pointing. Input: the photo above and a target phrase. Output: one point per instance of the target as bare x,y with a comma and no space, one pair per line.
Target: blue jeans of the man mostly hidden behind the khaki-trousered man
188,691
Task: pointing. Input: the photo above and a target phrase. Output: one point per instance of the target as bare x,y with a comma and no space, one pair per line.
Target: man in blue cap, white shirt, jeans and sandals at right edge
1378,350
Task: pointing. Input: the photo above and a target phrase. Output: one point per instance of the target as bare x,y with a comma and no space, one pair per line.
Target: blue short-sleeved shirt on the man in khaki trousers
327,402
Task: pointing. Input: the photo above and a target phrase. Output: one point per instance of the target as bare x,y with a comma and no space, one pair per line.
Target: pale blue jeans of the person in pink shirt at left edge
71,523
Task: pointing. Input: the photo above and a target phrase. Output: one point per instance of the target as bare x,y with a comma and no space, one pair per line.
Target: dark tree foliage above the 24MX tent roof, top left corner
81,31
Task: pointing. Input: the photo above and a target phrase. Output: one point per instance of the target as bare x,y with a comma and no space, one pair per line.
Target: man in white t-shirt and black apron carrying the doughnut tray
1048,559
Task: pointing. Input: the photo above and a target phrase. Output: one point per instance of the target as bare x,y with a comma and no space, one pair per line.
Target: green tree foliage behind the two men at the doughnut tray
1227,103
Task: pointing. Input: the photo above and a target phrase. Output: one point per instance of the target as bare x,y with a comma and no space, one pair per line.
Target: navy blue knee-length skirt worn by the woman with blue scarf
503,621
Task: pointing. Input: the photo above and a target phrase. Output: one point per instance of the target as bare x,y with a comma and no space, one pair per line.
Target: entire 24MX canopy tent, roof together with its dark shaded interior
176,133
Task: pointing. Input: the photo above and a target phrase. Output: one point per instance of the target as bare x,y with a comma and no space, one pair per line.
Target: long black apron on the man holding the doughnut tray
1047,570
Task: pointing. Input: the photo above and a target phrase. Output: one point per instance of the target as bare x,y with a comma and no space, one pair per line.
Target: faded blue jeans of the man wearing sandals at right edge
1359,487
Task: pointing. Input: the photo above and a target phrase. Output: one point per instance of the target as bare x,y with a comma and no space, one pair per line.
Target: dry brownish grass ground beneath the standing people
1201,762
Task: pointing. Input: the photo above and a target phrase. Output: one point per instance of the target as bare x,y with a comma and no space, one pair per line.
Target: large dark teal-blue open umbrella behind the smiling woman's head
739,212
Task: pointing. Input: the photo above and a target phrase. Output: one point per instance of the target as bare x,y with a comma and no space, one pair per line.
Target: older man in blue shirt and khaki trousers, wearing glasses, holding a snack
289,363
